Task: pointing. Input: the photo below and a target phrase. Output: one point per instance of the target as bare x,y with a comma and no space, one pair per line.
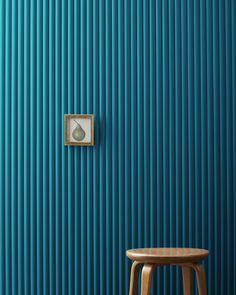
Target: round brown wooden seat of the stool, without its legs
167,255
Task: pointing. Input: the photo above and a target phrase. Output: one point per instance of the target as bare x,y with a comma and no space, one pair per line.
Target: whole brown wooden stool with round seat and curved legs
151,258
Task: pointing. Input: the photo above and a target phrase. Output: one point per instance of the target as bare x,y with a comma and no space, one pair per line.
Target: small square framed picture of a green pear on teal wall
79,129
